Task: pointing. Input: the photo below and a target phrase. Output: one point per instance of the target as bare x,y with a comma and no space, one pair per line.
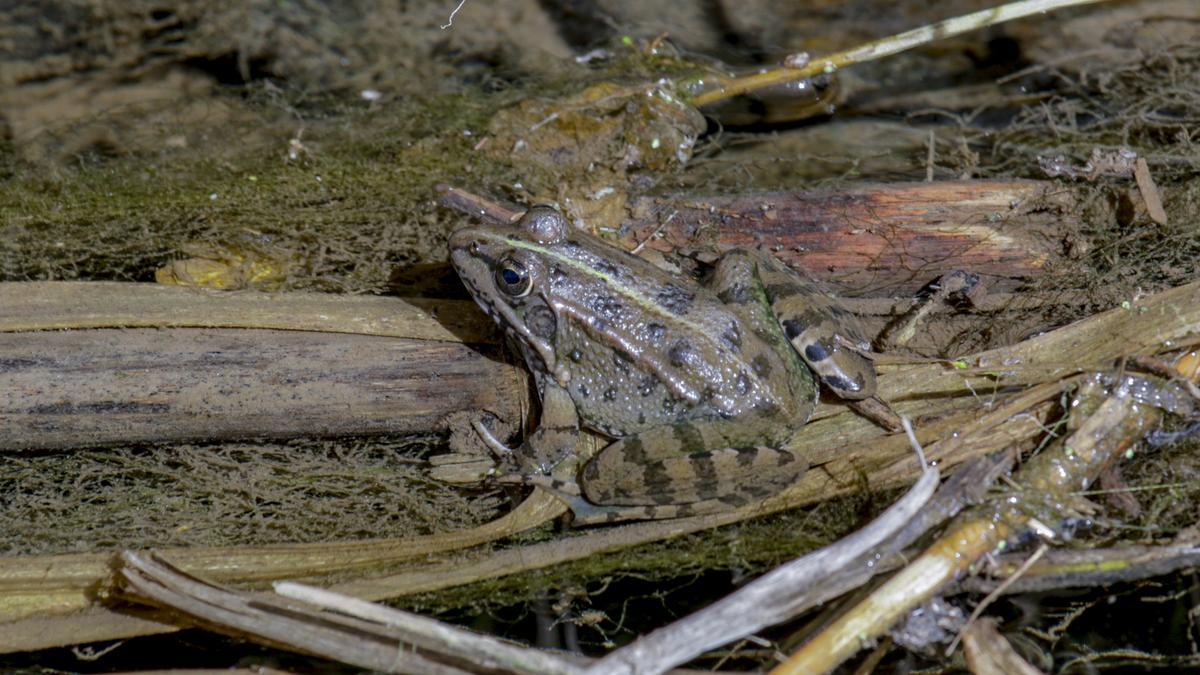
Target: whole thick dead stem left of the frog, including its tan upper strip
333,366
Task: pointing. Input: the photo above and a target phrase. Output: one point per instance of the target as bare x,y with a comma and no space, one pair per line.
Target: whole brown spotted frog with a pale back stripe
701,386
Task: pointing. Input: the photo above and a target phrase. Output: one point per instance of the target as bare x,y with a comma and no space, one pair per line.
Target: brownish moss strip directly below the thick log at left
230,495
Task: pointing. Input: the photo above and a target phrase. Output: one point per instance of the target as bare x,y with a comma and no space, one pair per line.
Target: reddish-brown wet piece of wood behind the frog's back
883,240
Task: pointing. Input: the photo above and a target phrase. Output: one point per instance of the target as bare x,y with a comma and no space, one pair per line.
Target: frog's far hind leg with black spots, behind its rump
829,338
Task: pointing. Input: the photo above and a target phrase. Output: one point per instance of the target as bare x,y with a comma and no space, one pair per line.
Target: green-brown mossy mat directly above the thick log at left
353,201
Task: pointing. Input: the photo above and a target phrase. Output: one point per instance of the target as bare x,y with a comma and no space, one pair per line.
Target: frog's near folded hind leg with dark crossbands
668,473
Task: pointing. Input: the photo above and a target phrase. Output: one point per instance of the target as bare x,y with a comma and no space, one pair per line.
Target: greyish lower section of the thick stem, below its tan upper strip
75,389
